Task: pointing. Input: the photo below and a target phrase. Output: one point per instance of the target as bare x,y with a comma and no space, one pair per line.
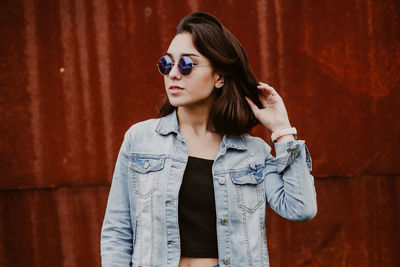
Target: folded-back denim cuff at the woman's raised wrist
287,152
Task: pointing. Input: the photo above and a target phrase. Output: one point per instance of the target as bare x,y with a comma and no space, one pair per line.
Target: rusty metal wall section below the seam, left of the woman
43,227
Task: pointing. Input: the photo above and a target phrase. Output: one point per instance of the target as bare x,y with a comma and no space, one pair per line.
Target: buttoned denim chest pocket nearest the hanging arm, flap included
145,171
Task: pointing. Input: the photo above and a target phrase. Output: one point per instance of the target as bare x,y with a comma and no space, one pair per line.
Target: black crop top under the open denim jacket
196,210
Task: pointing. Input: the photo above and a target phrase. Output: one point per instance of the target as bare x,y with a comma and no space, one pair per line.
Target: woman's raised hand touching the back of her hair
273,114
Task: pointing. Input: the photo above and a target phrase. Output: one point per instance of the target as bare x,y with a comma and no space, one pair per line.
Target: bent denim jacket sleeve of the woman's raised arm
289,185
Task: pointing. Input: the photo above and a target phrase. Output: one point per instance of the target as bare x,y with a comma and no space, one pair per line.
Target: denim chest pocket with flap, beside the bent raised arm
249,188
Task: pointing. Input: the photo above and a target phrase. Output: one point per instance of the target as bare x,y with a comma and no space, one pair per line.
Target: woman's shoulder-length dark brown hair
230,113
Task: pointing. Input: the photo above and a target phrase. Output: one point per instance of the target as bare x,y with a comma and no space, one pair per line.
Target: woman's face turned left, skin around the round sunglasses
196,88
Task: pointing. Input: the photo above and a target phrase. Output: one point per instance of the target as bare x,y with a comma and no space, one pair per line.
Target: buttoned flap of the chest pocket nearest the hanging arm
146,163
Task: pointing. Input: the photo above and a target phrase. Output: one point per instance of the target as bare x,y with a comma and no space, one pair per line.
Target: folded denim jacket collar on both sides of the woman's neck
169,124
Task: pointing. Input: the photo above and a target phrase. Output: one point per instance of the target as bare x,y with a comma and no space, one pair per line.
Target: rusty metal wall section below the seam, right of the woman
356,225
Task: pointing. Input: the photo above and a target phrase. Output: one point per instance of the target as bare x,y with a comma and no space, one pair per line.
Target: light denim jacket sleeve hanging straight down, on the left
116,233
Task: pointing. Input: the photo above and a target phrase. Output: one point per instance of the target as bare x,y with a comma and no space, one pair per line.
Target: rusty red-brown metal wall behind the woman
75,74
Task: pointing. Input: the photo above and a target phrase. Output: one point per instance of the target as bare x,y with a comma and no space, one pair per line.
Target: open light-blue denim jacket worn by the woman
140,227
